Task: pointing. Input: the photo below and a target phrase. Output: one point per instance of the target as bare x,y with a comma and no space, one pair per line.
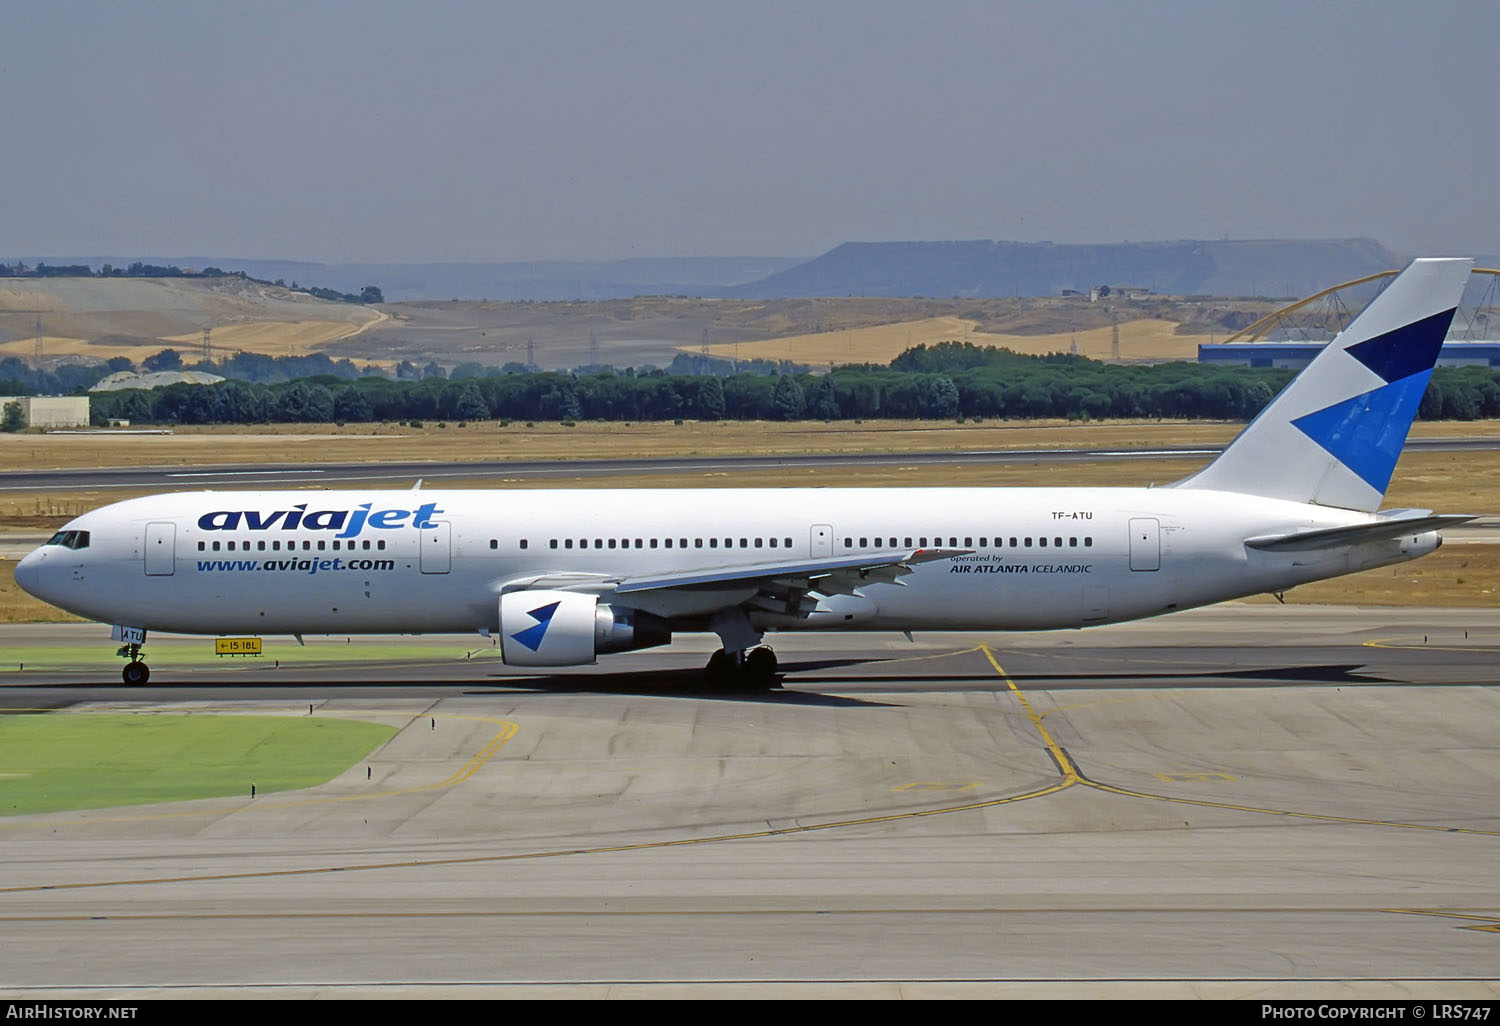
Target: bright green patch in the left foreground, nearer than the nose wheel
65,761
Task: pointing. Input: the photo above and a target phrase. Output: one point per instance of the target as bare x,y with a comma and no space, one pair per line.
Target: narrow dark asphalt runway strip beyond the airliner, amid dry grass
404,473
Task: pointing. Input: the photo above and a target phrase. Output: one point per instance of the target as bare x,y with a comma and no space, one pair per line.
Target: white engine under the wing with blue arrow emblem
571,629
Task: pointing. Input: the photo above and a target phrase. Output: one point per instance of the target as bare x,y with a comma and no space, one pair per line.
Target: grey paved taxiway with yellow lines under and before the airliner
1240,802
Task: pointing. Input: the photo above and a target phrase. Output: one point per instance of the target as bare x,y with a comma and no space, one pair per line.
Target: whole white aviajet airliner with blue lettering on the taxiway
565,577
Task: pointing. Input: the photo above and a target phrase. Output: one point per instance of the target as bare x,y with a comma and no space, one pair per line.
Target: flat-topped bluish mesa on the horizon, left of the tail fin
1000,269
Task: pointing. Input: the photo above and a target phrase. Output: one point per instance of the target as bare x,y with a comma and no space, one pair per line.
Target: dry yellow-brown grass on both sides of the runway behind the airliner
1457,575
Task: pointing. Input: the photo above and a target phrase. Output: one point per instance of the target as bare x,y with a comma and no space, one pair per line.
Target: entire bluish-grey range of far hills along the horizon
977,269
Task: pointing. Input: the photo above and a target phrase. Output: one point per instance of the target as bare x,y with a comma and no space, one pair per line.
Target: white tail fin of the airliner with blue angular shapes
1334,434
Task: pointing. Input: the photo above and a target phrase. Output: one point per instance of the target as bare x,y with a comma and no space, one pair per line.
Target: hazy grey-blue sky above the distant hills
401,131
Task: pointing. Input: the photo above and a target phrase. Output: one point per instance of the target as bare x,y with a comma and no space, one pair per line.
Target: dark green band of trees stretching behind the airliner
1018,388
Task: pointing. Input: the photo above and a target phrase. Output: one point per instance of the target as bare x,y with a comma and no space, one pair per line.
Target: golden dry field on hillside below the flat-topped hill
1142,340
